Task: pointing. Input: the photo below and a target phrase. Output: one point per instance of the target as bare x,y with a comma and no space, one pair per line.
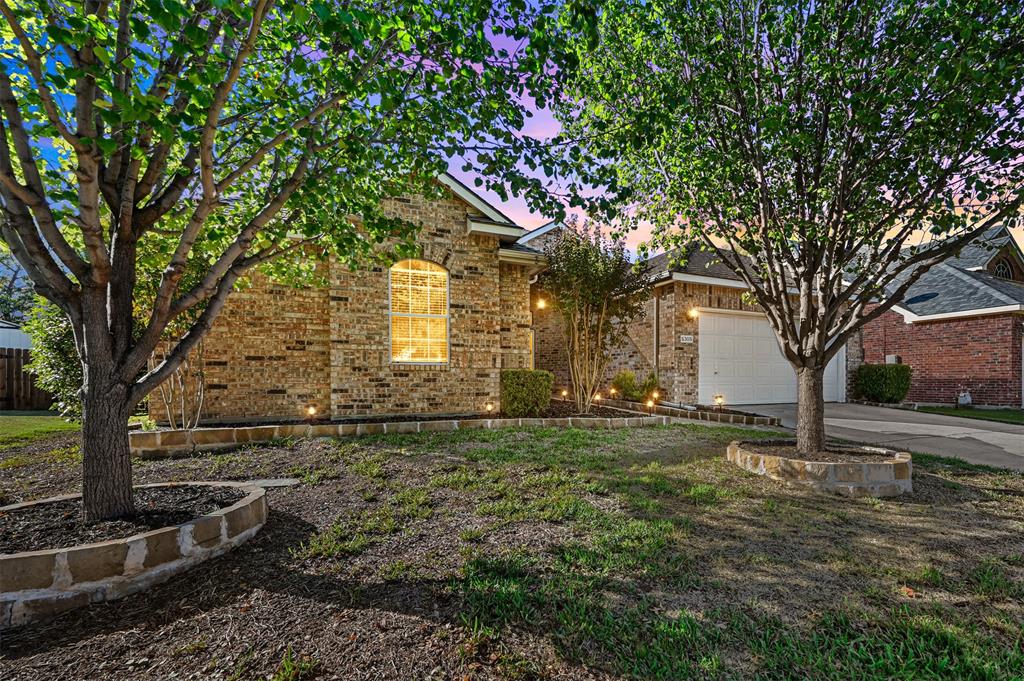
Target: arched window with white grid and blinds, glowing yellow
419,313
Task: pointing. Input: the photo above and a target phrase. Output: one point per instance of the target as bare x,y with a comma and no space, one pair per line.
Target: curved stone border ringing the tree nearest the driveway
876,479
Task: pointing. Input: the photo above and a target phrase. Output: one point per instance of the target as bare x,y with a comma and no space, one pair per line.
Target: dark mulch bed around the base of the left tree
60,525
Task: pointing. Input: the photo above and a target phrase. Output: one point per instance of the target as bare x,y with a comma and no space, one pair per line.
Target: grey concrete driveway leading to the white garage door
972,440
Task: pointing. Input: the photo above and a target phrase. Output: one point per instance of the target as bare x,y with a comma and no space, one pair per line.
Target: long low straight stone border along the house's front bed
159,444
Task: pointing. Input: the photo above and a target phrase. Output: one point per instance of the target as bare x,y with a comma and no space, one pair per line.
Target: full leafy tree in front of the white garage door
830,153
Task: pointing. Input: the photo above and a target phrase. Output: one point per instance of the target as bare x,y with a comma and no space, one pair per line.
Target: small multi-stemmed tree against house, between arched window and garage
598,291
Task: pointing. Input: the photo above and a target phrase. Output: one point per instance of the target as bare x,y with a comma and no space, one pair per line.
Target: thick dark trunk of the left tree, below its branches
107,490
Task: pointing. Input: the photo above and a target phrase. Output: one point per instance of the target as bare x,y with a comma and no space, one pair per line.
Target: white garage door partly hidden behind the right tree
741,360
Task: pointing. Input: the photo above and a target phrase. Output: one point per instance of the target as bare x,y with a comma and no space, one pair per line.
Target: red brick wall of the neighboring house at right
982,355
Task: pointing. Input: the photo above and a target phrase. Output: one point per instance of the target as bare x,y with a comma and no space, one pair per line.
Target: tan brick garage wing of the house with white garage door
700,336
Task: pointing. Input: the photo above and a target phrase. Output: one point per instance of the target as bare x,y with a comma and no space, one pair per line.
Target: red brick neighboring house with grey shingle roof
960,327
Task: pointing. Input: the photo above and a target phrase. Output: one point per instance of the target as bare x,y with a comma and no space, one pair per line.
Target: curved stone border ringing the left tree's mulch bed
38,585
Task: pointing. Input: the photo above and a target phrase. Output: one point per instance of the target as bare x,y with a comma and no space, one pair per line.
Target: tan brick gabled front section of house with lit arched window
426,336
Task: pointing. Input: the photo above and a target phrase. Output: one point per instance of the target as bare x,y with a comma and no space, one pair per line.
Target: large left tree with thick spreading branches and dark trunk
146,136
